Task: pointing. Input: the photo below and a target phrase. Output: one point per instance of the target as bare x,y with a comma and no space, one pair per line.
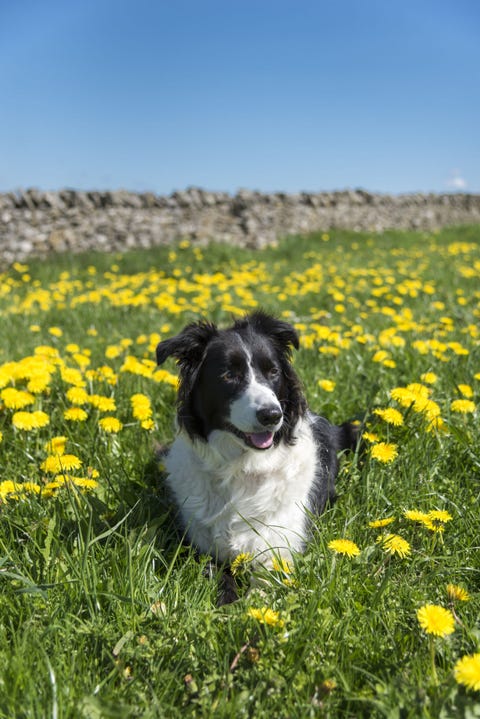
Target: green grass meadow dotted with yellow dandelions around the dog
106,612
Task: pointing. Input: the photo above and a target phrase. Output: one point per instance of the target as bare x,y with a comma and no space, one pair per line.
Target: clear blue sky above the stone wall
273,95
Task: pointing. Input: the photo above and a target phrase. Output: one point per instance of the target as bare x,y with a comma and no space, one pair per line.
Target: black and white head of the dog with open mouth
239,380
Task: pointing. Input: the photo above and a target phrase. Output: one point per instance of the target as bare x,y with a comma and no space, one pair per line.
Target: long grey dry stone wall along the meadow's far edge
34,223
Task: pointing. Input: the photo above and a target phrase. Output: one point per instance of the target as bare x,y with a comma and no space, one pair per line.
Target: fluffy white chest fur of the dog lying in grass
234,500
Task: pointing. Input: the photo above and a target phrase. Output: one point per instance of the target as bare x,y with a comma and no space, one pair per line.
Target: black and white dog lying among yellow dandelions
250,462
